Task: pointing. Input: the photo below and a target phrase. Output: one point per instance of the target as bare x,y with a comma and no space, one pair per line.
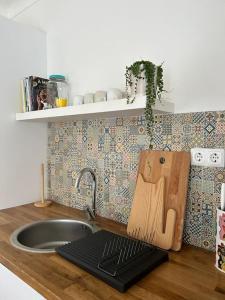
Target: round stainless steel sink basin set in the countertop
44,236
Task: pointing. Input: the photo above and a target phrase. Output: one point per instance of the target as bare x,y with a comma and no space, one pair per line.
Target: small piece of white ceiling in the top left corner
11,8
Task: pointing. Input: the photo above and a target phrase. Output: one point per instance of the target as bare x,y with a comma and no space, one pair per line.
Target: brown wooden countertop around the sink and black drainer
190,274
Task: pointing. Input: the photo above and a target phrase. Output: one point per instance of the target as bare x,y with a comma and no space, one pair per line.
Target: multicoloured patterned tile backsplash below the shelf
112,146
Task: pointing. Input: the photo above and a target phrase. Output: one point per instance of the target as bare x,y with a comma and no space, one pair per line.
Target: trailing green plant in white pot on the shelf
153,77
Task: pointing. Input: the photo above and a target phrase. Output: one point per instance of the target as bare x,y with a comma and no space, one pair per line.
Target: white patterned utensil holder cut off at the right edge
220,240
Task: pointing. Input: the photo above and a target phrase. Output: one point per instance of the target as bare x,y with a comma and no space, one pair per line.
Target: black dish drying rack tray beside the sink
119,261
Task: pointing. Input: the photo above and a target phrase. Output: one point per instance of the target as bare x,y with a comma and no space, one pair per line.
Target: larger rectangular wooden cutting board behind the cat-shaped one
174,167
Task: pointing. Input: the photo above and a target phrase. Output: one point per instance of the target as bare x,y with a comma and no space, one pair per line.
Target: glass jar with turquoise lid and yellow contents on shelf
58,91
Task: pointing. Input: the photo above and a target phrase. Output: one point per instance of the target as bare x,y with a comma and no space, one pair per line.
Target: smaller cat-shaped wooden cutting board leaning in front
147,216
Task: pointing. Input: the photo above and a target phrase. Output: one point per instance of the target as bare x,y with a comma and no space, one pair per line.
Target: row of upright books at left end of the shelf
34,93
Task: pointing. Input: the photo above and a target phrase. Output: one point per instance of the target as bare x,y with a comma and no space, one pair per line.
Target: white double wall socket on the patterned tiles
207,157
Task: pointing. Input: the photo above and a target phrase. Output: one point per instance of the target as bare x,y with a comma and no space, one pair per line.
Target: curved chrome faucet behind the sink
90,210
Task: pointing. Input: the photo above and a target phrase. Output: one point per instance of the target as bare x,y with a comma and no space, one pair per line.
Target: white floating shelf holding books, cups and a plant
115,108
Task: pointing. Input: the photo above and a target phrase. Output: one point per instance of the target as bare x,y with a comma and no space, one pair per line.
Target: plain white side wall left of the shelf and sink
23,145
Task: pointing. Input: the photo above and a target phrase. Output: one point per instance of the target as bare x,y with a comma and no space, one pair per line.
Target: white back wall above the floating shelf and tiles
93,41
